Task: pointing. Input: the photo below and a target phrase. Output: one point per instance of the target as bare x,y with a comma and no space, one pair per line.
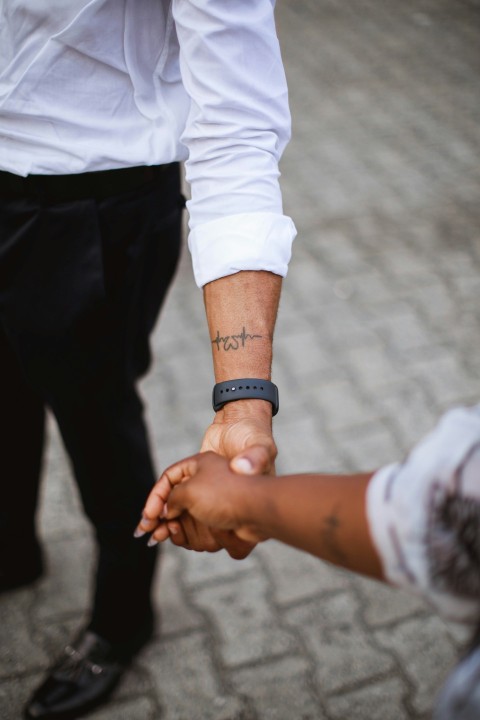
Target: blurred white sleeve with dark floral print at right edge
424,516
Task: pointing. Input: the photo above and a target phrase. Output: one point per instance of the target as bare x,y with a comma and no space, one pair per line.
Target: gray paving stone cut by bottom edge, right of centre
376,701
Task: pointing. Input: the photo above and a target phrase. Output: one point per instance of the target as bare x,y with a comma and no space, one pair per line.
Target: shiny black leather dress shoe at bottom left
83,678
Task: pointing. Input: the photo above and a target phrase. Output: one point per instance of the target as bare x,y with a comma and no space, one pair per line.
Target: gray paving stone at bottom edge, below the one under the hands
279,689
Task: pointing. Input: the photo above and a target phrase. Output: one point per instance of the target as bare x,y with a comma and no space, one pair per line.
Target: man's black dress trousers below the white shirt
81,285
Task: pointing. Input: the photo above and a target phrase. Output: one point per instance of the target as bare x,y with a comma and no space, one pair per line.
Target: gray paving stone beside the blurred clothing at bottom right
426,653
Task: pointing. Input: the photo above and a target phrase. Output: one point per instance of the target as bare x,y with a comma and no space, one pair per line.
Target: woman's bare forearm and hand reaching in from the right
322,514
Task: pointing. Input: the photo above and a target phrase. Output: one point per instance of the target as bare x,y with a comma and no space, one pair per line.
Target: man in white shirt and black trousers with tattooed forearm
99,100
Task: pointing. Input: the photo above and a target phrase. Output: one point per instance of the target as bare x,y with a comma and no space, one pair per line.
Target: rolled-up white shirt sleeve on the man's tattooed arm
237,128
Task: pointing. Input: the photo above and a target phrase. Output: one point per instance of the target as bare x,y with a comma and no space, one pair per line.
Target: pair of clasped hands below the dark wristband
197,502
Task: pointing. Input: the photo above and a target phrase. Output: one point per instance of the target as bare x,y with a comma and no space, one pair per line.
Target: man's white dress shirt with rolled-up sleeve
102,84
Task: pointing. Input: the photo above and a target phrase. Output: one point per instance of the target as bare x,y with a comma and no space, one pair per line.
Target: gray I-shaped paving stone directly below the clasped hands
243,619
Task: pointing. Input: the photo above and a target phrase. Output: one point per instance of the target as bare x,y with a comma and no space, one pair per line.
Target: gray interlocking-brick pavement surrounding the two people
378,334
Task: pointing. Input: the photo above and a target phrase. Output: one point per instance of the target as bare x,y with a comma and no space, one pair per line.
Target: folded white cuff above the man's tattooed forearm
247,241
